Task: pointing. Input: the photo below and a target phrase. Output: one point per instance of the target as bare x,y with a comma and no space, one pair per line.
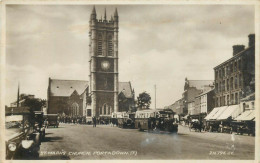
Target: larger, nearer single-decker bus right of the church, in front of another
156,120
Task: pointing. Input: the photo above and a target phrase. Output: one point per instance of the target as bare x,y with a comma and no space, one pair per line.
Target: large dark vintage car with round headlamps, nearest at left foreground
22,142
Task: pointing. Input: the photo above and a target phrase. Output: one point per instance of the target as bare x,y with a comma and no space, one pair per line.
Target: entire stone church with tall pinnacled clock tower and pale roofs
103,93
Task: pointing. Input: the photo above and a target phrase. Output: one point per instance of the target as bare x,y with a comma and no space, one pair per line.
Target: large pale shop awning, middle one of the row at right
230,111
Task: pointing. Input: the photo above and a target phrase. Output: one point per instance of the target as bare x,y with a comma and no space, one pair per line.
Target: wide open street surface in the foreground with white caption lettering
82,142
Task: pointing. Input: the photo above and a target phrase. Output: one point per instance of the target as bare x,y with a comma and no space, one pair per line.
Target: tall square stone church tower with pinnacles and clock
103,62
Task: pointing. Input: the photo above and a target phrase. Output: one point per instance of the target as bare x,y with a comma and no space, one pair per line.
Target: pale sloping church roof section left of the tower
67,87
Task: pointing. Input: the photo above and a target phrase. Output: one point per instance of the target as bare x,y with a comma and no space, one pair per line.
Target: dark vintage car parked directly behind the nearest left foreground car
39,123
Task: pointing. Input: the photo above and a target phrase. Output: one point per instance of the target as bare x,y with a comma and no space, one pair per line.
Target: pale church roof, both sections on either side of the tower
65,88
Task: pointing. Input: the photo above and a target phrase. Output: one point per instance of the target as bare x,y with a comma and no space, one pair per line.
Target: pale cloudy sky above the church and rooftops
158,45
